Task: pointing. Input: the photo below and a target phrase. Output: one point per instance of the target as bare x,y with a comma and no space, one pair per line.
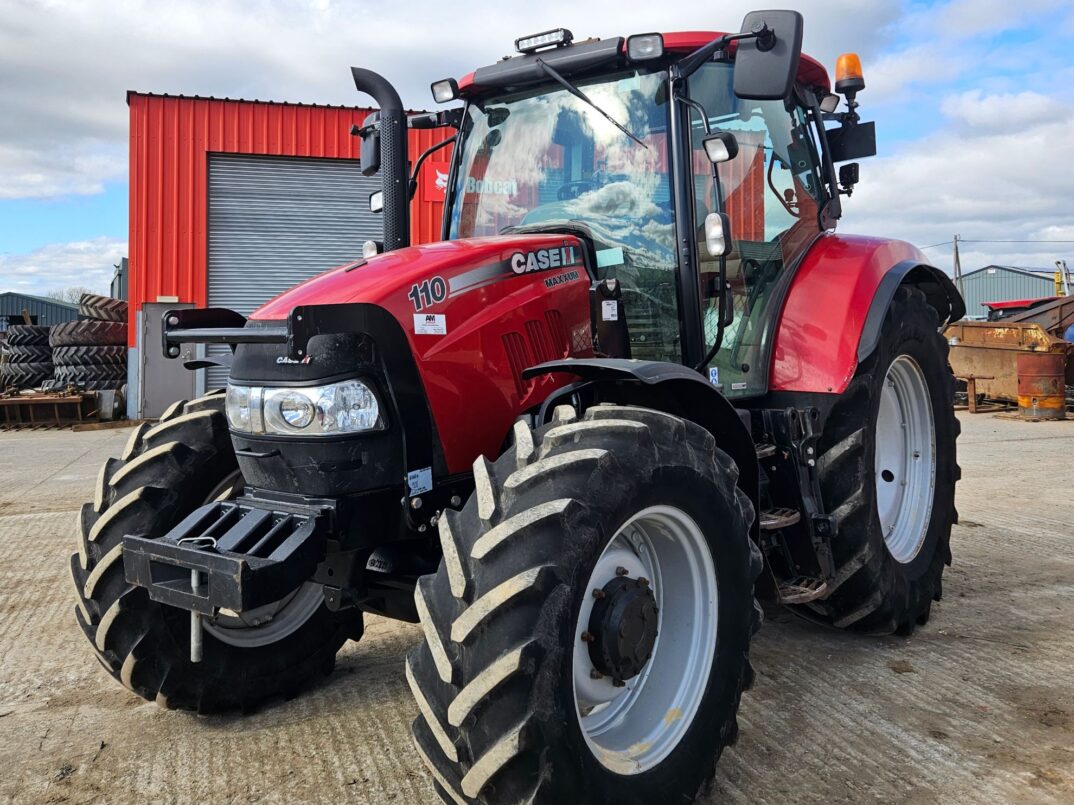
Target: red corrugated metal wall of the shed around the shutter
171,140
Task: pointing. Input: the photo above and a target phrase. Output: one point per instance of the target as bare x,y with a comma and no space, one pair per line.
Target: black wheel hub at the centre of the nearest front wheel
623,627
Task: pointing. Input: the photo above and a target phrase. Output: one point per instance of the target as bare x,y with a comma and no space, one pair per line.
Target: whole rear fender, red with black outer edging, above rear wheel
836,306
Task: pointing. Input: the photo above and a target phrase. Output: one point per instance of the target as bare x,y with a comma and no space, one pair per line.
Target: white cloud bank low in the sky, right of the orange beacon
997,172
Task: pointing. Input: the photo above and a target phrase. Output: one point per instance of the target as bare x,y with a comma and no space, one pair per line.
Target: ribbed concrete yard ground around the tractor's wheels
977,707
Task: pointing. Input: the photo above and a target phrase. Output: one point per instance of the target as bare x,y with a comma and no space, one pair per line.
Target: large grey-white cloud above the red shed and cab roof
66,65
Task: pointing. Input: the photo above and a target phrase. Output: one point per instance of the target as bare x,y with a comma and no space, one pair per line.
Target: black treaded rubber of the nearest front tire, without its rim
494,676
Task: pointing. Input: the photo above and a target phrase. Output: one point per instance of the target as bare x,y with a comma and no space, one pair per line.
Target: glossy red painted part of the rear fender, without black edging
817,341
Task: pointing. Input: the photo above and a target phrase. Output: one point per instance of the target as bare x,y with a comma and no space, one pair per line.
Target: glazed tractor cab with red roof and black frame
694,195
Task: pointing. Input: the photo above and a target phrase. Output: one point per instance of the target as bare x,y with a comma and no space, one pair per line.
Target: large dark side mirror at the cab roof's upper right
766,66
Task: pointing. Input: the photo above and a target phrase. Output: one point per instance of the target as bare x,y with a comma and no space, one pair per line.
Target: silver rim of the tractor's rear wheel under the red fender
906,459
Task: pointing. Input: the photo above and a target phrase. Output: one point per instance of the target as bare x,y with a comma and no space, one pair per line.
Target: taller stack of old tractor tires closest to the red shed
92,354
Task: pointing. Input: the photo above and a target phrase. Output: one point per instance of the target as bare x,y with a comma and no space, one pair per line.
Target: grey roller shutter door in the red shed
274,222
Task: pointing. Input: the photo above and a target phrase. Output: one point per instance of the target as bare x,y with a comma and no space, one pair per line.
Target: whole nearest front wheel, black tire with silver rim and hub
514,637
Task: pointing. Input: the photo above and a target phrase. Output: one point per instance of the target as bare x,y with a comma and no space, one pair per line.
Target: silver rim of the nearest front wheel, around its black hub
632,729
